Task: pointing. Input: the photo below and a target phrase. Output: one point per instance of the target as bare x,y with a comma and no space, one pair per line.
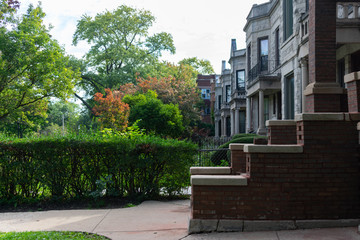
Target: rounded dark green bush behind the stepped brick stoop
221,156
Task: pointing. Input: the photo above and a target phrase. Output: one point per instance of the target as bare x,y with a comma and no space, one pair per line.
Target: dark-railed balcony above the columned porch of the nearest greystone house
262,69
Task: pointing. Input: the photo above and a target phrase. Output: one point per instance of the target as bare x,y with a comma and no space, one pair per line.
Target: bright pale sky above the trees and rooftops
200,28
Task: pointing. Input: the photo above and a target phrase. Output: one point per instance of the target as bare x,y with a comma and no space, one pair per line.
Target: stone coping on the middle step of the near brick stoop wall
273,149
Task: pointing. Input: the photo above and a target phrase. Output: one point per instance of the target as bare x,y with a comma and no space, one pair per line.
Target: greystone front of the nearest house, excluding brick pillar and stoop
277,38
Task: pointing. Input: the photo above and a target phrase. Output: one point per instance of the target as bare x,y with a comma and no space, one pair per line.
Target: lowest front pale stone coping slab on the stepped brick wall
218,180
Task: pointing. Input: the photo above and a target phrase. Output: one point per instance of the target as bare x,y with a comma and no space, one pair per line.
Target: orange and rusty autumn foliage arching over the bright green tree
113,113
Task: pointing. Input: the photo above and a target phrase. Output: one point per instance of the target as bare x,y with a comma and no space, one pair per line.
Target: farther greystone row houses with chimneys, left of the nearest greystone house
230,95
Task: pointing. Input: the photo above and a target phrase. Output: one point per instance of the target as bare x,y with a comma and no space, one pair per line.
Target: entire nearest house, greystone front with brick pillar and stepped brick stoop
308,173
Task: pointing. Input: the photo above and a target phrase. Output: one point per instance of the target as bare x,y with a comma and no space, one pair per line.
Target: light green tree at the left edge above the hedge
33,67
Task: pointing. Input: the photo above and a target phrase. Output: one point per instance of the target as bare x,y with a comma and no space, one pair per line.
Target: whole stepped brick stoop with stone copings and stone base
317,178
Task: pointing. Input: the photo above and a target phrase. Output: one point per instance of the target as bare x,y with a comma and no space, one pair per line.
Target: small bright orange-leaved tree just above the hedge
112,112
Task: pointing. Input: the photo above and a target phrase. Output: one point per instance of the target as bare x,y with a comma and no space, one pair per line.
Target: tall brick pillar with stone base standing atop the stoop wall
323,94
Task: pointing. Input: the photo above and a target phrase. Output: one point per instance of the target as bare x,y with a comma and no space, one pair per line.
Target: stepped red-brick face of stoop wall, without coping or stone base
323,182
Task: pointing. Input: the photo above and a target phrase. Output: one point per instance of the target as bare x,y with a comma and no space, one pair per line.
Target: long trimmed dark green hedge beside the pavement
74,167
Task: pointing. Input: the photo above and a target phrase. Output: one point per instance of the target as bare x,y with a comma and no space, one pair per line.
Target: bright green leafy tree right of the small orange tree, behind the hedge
155,116
